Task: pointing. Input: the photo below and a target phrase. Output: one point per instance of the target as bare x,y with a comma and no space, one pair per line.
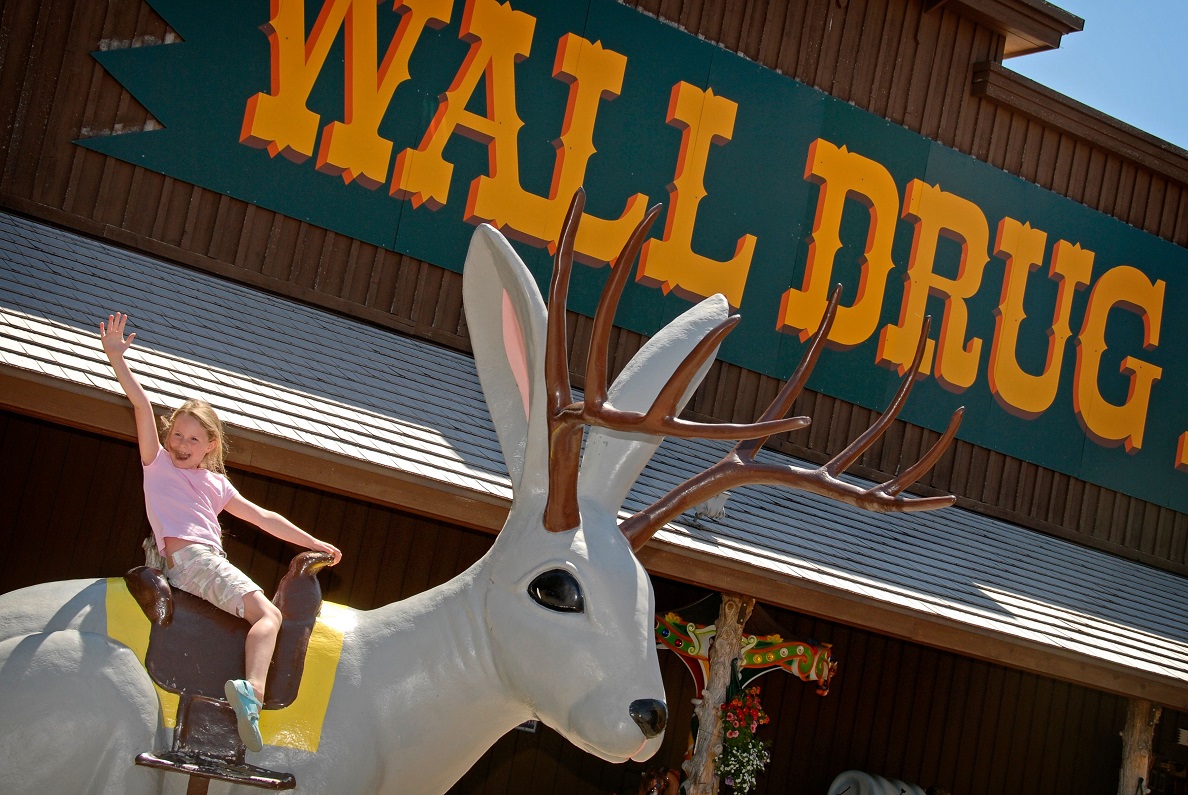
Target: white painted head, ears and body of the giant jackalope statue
425,686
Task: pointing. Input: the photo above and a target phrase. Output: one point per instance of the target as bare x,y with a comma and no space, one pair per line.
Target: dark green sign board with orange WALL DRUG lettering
1057,326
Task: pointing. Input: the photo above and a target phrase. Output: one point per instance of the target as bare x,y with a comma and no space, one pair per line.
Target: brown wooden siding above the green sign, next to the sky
917,68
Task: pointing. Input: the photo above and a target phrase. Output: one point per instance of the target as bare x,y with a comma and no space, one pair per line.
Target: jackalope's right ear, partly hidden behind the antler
614,459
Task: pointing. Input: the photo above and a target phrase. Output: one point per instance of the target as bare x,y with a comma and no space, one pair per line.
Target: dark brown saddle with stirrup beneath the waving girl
194,648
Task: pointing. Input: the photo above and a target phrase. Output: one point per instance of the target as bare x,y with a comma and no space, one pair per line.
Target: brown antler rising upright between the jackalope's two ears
567,419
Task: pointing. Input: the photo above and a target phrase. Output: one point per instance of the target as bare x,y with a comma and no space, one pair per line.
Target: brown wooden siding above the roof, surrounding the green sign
888,56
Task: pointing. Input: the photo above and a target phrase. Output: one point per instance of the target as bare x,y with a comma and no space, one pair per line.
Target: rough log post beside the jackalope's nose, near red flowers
703,768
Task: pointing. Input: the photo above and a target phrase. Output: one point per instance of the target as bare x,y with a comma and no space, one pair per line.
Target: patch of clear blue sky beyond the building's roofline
1129,62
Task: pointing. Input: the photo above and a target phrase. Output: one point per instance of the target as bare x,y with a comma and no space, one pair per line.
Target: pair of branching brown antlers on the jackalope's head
567,418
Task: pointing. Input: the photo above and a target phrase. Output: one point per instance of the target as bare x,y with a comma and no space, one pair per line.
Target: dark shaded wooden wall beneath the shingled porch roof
898,709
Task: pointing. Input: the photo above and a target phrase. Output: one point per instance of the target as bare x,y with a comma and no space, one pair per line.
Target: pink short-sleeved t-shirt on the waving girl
185,503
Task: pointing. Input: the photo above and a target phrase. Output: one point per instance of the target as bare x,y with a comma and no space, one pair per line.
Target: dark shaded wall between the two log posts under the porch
933,718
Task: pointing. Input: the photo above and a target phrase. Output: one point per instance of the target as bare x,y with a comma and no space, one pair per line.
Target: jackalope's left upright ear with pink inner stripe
507,319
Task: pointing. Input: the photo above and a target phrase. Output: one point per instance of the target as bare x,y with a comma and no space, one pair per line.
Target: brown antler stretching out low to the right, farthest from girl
740,468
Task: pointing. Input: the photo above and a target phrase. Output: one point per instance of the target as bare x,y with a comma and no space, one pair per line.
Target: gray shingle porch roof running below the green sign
282,369
